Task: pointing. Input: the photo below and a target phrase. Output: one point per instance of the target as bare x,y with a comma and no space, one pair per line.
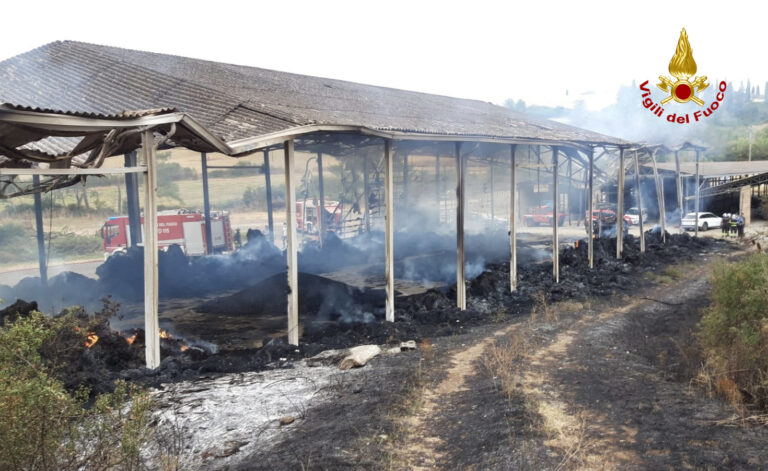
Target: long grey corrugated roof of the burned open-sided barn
238,102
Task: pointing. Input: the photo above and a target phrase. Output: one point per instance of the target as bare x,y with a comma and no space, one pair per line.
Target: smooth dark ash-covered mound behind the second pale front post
320,298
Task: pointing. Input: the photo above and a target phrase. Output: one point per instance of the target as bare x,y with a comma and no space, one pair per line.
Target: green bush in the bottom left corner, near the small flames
45,427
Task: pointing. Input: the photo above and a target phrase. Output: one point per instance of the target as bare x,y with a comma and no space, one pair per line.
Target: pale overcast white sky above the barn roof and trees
547,53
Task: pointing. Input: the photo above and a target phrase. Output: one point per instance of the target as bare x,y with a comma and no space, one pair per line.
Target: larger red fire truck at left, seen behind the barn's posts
182,227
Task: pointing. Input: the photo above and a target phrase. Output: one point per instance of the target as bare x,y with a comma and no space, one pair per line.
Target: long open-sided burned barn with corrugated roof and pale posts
72,111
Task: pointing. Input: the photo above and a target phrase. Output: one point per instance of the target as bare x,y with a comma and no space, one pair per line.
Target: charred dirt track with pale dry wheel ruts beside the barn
603,386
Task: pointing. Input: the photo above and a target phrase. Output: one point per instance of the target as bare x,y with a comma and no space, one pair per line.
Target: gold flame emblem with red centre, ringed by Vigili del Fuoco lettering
683,68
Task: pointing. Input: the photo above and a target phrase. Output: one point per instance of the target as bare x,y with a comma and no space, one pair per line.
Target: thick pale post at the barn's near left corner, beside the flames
151,321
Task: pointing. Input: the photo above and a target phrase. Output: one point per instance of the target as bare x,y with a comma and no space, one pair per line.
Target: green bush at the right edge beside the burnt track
734,330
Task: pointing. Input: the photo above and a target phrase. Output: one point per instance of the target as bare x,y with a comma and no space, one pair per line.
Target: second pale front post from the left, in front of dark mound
291,241
